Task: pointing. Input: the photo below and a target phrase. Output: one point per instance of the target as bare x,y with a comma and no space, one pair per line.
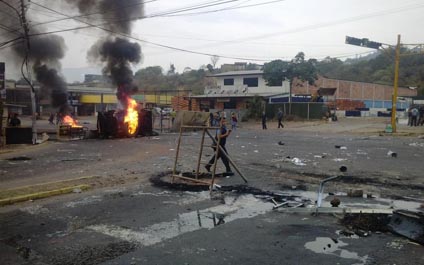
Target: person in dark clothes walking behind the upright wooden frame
223,135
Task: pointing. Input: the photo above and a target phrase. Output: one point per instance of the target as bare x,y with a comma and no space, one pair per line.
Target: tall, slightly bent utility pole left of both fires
32,91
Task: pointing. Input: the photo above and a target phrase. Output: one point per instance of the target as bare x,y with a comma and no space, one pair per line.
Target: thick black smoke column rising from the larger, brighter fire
115,53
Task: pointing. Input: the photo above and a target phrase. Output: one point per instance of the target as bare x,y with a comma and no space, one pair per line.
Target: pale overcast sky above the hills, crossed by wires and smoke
258,34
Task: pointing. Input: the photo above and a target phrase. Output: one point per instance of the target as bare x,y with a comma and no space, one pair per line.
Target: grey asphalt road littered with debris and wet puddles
124,219
